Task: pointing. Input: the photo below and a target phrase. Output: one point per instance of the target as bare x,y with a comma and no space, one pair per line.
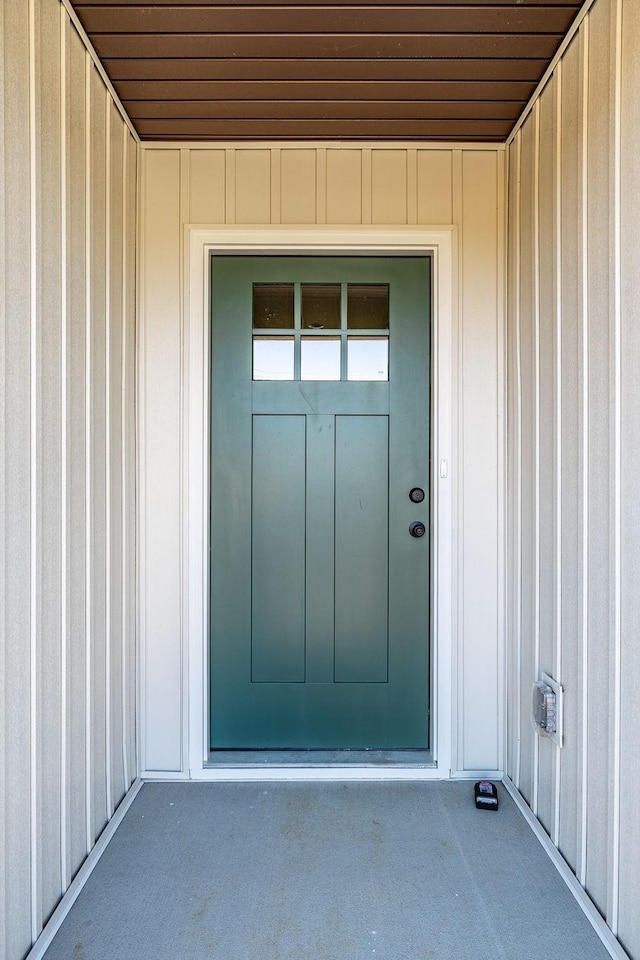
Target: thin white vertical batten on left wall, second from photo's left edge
64,866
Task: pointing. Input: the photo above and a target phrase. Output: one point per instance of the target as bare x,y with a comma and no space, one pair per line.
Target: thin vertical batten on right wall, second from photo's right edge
584,809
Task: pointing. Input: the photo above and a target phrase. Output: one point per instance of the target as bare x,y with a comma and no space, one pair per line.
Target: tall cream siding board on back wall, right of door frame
480,411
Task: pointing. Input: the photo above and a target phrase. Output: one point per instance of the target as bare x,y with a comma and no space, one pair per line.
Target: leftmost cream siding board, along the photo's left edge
16,678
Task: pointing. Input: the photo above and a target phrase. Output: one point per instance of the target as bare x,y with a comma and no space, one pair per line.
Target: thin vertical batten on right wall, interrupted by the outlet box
558,278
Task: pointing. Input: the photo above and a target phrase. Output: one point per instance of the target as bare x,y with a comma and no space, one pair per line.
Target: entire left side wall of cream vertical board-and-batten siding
67,673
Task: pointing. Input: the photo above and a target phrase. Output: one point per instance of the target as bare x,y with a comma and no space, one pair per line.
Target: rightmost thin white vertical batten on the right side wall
613,919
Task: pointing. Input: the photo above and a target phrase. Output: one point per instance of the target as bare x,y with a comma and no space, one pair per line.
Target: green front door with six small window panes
320,432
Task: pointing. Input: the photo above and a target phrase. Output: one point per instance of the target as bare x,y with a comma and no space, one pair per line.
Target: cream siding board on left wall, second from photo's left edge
49,454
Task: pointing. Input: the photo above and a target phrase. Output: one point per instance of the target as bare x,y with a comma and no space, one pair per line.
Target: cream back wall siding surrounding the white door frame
342,185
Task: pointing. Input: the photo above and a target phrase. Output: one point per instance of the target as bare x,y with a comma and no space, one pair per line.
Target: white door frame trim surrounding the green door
200,243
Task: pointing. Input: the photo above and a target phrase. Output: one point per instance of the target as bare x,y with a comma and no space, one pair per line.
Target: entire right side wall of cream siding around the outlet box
574,438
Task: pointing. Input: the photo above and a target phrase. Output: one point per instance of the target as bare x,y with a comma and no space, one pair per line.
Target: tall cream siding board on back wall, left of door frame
161,352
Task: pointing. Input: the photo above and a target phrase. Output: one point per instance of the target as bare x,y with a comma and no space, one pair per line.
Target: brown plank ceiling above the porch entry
456,70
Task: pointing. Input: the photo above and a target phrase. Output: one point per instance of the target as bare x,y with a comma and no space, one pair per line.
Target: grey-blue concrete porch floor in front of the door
323,871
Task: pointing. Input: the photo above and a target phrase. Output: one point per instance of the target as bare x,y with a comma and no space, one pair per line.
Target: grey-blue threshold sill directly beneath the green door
246,759
